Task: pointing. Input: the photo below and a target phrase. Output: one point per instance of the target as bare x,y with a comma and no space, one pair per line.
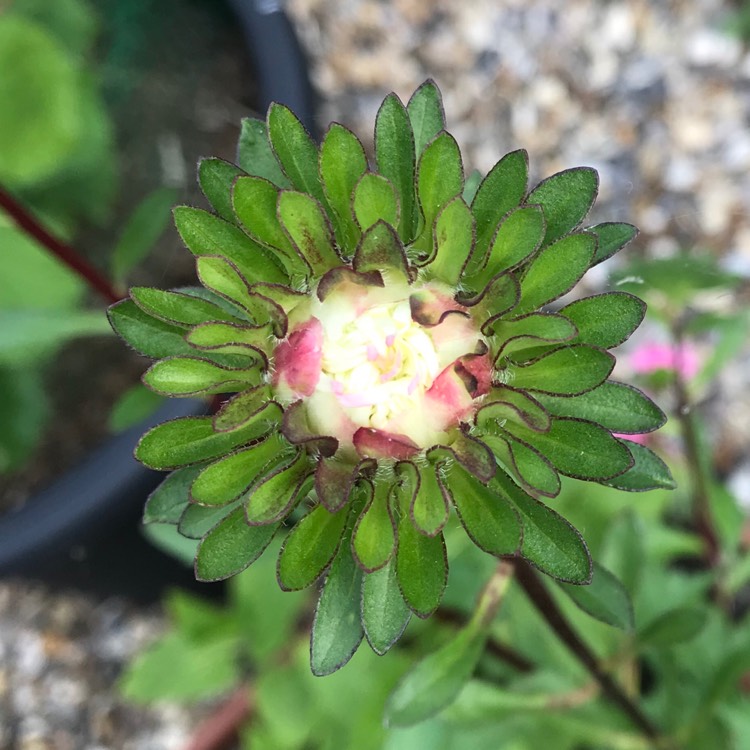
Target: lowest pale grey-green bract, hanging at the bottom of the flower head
337,630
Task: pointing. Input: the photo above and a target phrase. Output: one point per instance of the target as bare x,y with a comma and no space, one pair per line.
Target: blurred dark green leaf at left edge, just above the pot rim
24,410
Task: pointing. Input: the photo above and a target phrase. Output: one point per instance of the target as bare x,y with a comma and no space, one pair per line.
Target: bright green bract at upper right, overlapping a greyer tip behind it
555,271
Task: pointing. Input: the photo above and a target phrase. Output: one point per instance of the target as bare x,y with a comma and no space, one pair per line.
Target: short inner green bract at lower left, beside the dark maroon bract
275,496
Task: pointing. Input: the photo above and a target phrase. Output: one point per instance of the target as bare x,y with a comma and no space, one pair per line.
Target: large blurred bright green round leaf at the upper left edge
41,130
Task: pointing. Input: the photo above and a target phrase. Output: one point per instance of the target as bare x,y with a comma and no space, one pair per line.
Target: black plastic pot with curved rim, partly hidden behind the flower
84,531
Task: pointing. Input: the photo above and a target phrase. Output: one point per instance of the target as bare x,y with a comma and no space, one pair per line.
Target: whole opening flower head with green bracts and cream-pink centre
394,354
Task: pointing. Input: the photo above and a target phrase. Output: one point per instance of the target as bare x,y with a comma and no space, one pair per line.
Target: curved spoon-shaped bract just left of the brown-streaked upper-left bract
255,202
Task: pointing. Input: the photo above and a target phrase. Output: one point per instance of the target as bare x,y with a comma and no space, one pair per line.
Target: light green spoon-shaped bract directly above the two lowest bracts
374,535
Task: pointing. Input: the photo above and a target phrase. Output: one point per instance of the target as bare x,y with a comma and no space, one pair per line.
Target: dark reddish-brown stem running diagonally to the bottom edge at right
547,607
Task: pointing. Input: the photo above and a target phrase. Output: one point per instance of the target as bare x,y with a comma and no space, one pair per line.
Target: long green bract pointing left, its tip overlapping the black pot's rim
192,439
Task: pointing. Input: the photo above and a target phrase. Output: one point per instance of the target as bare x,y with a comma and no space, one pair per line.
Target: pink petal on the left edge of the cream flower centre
298,358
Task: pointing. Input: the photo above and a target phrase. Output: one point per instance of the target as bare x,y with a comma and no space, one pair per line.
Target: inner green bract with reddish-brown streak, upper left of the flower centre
307,226
